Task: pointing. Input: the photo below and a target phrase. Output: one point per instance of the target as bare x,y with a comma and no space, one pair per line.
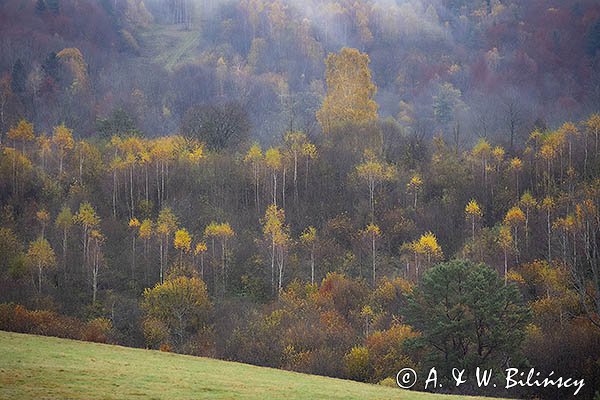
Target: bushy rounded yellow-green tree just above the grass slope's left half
181,304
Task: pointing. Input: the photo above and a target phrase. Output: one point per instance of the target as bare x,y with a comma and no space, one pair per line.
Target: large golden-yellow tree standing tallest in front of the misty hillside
350,91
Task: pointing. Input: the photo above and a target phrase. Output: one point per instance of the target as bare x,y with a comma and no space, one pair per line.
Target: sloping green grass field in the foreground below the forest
37,367
